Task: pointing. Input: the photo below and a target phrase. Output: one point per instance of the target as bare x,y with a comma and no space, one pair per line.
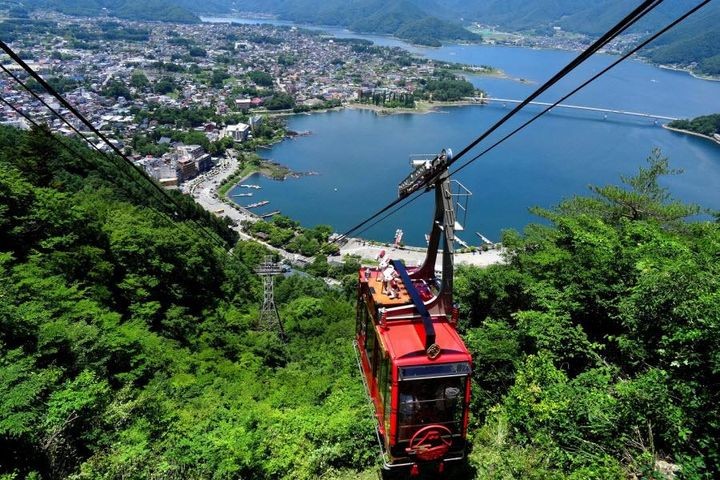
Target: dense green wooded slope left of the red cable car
128,347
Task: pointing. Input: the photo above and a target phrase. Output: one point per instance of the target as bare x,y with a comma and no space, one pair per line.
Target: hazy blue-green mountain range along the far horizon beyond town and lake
694,44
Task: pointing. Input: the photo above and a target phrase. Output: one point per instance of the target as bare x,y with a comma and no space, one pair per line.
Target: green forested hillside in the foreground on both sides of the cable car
128,346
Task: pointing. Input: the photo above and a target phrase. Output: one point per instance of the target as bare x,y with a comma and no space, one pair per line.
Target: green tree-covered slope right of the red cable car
596,346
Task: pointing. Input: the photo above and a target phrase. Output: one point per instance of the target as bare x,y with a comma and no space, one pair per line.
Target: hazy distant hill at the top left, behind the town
160,10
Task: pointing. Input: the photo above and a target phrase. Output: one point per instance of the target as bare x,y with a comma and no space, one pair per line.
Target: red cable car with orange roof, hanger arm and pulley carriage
414,364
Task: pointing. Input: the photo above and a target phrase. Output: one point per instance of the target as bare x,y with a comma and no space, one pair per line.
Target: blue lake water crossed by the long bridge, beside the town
360,157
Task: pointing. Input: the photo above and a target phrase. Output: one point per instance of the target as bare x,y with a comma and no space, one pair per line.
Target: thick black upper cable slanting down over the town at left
16,58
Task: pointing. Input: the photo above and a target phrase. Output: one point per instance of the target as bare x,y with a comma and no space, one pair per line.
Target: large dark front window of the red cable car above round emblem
436,401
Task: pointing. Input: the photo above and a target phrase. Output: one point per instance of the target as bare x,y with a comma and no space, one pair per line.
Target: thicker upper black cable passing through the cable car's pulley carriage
643,9
